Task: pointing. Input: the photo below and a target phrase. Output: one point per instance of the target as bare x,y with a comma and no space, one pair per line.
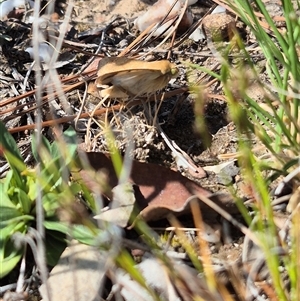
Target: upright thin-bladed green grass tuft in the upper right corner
277,123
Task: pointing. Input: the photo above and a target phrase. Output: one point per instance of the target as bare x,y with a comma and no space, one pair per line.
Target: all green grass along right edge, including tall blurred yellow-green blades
275,123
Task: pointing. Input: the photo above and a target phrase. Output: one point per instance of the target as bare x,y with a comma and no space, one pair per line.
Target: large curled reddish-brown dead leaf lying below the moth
158,190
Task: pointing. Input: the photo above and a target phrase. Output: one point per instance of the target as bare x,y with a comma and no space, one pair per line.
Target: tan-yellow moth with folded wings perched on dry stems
121,77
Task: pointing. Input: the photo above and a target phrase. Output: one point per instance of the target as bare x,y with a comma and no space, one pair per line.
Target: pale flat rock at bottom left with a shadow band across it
77,276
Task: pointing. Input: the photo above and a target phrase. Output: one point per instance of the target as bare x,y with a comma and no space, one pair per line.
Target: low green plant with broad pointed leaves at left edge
20,189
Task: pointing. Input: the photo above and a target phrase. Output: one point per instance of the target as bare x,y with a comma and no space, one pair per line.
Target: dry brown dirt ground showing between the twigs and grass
176,114
